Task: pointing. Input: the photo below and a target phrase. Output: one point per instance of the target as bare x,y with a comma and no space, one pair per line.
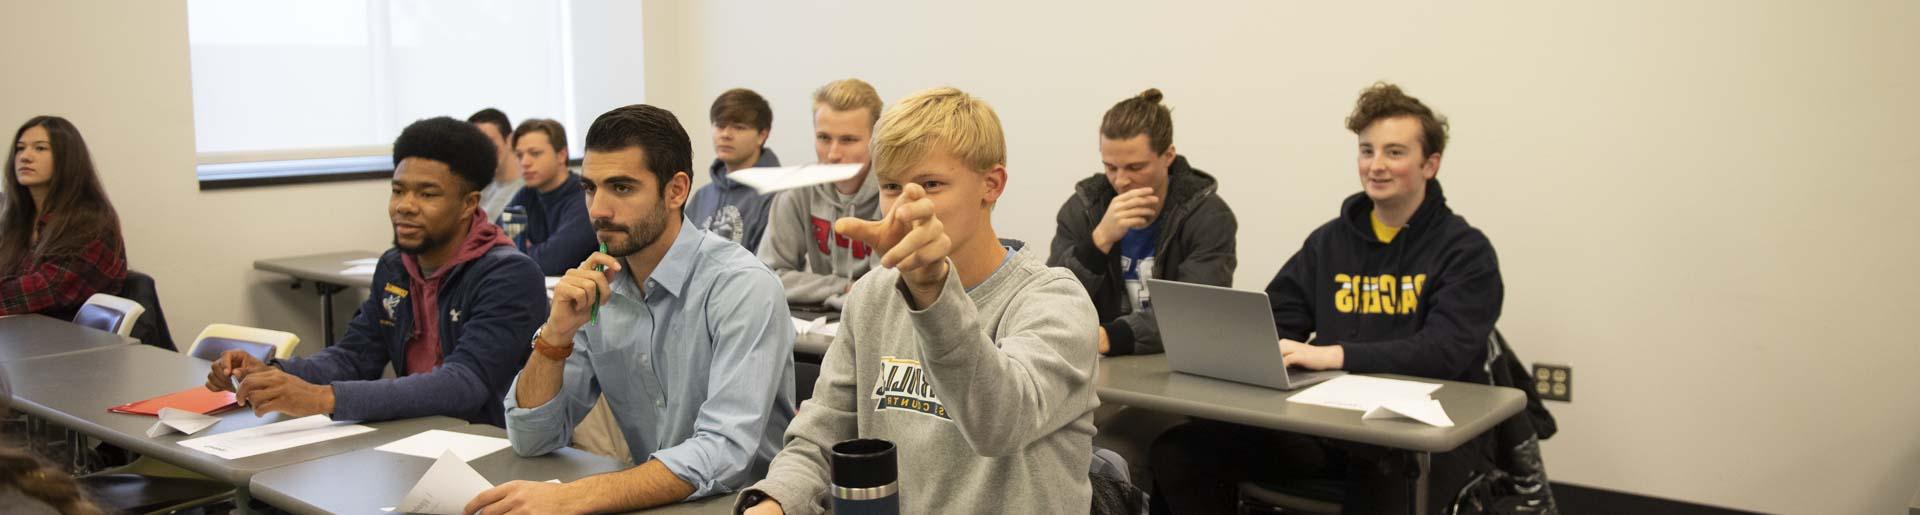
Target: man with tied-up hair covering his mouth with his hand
1149,216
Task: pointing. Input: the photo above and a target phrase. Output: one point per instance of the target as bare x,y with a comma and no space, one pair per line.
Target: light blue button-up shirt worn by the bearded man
698,368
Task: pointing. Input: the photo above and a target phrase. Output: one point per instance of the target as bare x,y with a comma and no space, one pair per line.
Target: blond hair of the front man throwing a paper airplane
938,118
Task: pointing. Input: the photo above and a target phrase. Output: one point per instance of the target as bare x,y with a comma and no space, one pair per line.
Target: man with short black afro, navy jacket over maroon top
452,305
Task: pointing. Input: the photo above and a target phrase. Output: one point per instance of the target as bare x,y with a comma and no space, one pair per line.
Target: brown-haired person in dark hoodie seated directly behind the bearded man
558,232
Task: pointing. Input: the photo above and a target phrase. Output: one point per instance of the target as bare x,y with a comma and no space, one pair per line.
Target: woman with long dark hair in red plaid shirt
60,241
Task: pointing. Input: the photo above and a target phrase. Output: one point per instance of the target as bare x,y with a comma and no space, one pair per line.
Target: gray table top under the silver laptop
1147,381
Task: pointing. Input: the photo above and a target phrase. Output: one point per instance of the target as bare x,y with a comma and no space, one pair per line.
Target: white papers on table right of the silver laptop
1380,399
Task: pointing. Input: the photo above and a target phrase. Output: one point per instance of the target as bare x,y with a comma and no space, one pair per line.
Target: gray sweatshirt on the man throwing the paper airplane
988,395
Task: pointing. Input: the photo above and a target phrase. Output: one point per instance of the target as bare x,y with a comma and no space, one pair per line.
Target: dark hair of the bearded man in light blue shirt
656,132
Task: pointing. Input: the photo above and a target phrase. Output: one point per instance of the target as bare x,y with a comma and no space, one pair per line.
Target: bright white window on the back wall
316,87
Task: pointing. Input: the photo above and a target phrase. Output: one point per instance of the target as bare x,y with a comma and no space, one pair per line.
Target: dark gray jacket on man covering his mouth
1197,245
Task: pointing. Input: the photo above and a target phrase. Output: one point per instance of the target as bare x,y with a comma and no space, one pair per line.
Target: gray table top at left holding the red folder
78,389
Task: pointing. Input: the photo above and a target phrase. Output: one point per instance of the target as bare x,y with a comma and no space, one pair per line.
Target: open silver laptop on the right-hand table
1224,333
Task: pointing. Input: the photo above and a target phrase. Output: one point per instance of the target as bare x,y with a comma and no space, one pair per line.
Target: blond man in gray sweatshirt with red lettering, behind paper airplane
815,264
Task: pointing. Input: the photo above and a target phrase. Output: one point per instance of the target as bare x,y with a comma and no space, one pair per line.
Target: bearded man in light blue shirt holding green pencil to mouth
690,343
